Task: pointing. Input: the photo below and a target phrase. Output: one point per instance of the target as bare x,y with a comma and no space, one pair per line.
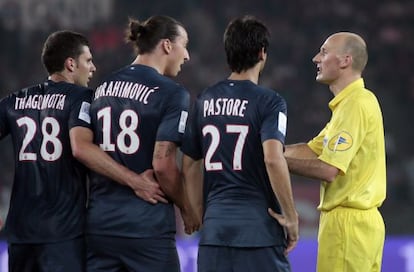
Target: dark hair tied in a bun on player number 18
146,35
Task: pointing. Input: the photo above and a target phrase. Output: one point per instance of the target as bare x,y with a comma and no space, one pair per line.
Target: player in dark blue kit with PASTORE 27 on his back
236,134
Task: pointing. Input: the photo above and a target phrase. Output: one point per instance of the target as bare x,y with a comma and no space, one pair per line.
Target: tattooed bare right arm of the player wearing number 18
170,179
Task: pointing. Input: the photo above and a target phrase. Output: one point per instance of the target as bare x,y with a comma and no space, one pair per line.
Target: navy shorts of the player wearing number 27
242,259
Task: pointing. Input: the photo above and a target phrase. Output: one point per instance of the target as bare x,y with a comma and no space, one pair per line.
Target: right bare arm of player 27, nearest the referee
278,172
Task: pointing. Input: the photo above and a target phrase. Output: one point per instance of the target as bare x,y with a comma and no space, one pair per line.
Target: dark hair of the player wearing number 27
244,38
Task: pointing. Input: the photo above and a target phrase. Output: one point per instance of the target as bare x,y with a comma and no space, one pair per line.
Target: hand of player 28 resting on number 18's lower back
148,188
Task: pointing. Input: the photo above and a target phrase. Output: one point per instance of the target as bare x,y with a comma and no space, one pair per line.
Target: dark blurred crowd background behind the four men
298,28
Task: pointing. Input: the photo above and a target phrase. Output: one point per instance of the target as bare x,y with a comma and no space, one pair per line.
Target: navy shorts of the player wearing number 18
108,253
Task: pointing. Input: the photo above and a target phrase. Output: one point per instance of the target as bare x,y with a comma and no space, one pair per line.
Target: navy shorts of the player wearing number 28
66,256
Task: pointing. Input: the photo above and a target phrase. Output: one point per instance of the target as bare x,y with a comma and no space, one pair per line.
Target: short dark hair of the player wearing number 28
61,45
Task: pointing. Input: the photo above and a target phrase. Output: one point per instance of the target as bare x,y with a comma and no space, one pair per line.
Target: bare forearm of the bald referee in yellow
303,161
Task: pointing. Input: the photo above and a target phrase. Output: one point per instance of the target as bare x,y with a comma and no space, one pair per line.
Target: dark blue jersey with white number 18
132,109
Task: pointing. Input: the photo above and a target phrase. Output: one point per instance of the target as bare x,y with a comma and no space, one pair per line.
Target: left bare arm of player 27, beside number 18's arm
193,182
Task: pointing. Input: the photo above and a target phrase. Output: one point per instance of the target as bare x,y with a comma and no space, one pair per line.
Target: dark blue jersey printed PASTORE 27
229,122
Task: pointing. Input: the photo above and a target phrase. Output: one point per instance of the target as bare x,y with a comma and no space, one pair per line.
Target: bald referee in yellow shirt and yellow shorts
348,157
